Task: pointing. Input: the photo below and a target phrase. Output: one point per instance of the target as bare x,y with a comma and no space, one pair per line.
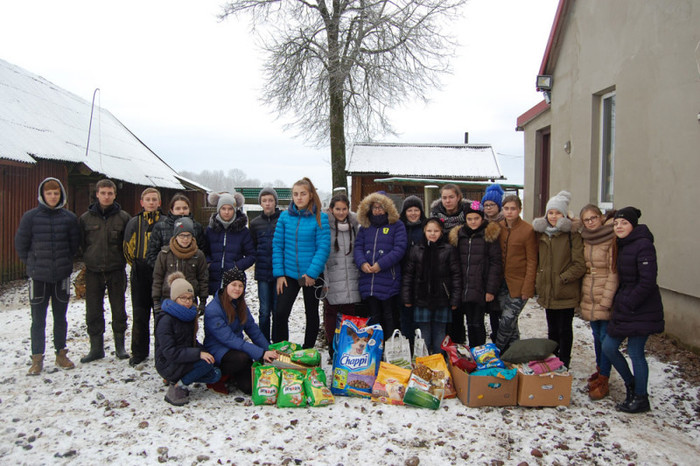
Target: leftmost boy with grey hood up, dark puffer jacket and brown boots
46,241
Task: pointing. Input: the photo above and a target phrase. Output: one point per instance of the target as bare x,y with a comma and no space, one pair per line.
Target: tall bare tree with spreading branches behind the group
339,65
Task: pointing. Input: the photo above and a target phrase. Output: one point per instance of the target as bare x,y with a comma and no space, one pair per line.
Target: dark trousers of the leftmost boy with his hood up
39,295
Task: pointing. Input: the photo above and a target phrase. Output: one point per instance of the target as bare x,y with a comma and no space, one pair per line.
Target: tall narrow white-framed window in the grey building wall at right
607,150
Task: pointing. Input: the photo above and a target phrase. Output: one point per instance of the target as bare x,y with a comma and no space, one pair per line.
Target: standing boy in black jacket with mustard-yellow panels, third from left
136,236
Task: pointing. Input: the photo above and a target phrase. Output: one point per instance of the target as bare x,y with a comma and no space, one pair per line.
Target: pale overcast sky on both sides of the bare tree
188,86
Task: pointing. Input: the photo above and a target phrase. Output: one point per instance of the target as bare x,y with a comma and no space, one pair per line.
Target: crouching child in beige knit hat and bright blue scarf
180,359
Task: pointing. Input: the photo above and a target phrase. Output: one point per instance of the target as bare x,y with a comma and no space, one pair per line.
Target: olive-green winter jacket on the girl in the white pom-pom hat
560,265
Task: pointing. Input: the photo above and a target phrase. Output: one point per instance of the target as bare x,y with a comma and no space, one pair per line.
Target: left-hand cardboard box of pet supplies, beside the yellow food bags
476,391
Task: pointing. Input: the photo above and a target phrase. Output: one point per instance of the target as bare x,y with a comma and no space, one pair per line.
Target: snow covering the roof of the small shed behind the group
452,161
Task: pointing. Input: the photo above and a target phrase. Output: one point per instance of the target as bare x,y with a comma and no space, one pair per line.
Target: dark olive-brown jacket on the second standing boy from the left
103,237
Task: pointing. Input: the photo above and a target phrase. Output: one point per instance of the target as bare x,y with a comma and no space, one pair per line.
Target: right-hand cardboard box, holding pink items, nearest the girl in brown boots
549,389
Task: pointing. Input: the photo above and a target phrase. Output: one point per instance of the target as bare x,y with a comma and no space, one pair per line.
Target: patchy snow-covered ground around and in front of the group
107,411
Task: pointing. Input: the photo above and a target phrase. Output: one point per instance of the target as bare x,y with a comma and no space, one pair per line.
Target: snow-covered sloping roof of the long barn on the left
39,120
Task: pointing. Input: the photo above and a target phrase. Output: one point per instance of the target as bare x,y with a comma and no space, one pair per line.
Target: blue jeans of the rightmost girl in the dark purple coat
635,350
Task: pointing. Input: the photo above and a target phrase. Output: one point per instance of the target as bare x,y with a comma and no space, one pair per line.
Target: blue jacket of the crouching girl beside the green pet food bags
220,336
